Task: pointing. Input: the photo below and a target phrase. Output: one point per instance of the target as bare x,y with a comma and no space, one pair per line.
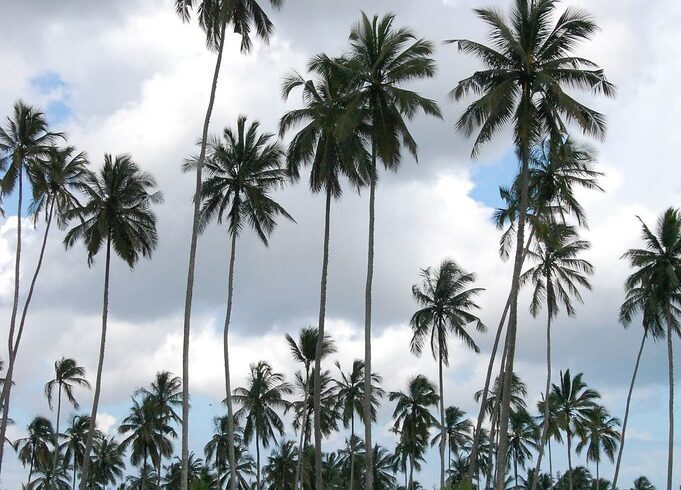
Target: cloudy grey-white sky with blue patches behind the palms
129,77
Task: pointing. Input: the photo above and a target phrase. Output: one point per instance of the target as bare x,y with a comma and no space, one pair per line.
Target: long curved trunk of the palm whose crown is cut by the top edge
191,268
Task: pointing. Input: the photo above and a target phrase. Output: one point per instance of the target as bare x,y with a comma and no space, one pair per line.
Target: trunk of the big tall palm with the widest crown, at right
513,319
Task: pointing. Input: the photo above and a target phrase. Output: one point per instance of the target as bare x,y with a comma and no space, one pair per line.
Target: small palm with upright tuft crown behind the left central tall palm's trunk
305,351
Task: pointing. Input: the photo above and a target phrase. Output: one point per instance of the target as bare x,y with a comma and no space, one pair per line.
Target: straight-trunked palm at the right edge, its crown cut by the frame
658,270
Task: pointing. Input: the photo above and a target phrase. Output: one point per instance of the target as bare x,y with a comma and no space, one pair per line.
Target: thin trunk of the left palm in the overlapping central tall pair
320,344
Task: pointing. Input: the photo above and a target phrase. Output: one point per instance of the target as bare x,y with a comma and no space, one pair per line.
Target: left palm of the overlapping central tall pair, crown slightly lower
332,157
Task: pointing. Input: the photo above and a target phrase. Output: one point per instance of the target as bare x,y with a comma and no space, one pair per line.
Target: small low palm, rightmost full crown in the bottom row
600,436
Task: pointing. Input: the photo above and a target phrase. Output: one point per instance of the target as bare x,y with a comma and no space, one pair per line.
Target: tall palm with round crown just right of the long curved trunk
243,168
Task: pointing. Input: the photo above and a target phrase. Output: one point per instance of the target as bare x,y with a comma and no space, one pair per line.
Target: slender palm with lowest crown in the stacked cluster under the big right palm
556,279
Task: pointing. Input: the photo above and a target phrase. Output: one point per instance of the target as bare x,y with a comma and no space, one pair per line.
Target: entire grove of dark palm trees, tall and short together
353,120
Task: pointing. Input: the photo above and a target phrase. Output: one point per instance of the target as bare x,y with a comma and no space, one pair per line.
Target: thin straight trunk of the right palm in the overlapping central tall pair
369,479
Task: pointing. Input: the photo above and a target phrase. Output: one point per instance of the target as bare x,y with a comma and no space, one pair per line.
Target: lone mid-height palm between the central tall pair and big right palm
446,300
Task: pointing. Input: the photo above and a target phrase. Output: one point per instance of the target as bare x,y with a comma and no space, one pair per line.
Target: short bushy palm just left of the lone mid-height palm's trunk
413,419
